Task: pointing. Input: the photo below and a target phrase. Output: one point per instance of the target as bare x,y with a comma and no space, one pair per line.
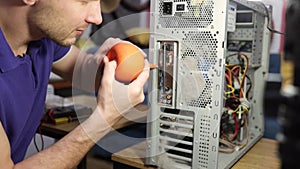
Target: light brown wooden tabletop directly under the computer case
263,155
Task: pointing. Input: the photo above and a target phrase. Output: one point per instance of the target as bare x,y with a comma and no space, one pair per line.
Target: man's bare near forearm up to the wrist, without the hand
67,152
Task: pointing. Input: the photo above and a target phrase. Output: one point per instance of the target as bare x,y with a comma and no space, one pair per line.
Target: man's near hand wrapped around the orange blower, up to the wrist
116,97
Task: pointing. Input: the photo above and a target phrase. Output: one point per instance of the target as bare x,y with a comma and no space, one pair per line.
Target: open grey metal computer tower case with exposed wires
206,97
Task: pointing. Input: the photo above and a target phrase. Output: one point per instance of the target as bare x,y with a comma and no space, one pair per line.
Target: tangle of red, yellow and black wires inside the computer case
235,115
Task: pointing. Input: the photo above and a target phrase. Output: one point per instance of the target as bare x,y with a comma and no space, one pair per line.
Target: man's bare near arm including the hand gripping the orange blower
68,151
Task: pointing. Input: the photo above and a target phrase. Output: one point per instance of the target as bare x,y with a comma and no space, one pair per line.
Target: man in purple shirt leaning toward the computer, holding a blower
32,36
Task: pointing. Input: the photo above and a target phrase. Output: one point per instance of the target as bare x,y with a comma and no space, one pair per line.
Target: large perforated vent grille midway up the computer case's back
200,48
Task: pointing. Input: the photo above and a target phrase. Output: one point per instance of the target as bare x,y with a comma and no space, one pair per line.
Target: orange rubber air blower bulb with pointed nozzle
130,61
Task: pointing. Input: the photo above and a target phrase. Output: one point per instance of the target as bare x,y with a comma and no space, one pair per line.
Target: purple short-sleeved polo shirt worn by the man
23,87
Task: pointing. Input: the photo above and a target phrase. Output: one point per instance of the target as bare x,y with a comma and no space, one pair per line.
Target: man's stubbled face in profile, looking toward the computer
64,20
